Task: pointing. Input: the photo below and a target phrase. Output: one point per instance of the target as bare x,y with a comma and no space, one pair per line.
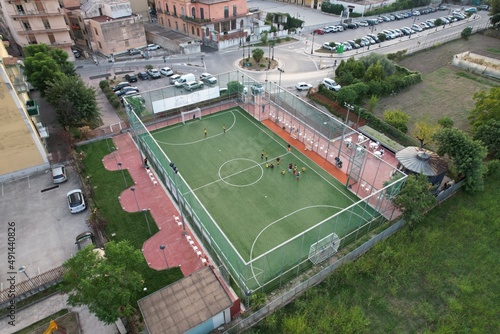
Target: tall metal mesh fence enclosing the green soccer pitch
319,131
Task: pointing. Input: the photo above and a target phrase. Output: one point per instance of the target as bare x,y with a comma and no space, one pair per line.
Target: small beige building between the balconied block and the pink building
105,26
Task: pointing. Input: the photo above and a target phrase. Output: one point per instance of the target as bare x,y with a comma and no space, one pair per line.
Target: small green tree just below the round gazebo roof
415,199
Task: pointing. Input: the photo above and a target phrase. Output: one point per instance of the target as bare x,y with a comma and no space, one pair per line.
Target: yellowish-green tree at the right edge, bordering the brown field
487,107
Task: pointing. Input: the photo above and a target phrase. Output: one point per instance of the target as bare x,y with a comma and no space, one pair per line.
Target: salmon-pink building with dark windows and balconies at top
211,21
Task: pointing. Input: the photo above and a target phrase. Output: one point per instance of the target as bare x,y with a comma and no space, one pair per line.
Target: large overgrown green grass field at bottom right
442,276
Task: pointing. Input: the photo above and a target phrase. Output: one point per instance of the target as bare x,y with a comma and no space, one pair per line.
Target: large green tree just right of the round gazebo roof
467,156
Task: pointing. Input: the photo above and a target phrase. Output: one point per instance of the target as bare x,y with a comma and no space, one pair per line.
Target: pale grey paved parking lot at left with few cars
44,230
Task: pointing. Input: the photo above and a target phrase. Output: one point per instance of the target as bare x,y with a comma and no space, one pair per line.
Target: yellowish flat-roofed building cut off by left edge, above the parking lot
22,151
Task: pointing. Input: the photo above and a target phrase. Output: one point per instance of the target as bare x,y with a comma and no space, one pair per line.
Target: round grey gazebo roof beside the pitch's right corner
419,160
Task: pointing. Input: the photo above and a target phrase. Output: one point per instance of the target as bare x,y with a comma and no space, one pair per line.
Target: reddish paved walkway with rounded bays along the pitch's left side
178,250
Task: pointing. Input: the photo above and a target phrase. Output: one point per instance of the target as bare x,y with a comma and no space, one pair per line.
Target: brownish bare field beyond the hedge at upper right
443,90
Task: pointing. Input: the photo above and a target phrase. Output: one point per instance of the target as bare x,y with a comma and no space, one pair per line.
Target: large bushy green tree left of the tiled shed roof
108,285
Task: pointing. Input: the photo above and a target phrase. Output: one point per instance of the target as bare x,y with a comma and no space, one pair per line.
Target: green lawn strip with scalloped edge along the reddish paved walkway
109,186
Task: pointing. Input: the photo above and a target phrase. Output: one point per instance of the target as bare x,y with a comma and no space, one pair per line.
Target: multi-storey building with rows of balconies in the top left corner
36,22
